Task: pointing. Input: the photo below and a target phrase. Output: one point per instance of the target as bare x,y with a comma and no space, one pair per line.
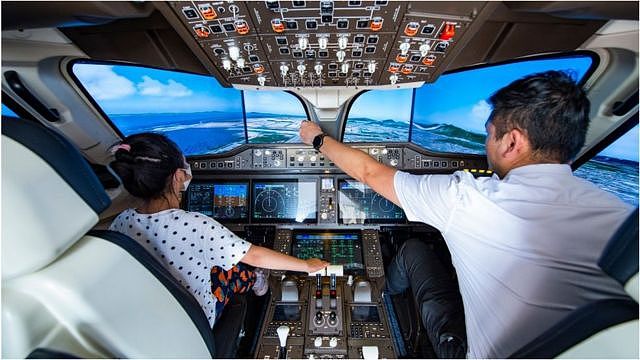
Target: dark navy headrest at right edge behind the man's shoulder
620,257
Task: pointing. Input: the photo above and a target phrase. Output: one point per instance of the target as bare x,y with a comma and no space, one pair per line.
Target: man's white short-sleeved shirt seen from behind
525,248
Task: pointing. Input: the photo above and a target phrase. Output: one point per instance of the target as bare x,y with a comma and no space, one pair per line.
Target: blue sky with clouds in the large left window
121,89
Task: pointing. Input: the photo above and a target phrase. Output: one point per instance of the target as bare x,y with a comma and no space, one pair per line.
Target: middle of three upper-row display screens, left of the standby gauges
284,201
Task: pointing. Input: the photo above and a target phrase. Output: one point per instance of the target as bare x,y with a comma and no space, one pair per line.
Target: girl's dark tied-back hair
146,163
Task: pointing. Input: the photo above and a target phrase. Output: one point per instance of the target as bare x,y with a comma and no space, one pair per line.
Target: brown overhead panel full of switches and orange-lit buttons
328,43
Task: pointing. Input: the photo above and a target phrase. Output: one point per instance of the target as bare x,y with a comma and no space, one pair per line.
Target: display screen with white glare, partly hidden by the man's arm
359,204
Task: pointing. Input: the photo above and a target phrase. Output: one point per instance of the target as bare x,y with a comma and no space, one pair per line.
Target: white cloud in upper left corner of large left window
102,82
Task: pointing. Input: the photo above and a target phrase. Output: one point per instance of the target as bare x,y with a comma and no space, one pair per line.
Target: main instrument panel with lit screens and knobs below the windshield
294,184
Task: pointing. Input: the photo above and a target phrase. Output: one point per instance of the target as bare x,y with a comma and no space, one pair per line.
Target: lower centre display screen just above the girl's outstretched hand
338,248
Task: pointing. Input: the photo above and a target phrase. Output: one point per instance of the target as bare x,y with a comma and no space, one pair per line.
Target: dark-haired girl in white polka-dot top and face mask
203,255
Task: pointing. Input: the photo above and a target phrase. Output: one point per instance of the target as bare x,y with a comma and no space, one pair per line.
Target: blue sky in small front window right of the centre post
383,104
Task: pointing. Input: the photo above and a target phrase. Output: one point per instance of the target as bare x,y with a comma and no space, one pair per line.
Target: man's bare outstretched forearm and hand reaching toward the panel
355,163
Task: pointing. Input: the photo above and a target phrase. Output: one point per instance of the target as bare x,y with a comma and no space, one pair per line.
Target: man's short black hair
550,108
